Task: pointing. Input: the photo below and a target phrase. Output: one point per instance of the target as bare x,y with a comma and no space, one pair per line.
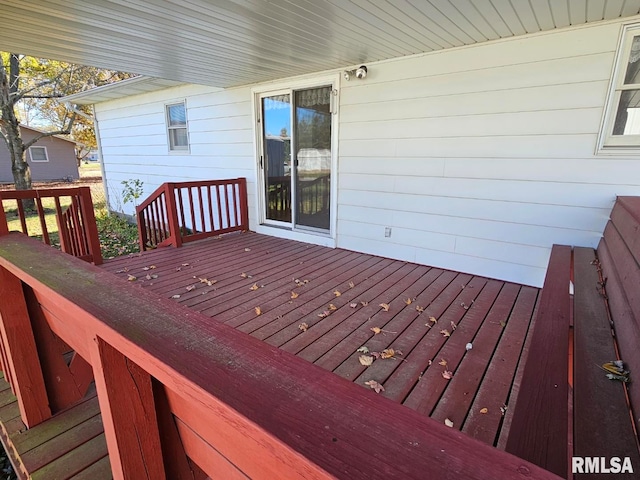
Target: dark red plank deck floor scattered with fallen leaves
325,305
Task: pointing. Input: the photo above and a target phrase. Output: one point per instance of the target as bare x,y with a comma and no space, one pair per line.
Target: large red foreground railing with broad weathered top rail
175,386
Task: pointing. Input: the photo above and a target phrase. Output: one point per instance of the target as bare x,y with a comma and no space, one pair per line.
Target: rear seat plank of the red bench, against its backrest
601,427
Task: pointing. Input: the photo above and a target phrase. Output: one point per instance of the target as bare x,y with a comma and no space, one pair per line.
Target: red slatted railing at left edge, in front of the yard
74,214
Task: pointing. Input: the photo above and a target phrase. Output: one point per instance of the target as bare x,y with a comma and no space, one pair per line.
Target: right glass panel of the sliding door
312,140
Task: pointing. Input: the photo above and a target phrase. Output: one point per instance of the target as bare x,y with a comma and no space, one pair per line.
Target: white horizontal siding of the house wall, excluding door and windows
478,158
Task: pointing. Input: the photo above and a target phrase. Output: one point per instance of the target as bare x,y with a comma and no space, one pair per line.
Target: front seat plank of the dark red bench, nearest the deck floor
539,427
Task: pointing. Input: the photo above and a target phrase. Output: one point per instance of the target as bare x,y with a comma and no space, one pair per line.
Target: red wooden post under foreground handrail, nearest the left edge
20,351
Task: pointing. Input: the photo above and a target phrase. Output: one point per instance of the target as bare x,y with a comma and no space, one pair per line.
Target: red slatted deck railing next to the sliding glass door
176,213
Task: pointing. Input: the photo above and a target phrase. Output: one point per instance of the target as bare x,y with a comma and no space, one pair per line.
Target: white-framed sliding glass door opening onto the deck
296,158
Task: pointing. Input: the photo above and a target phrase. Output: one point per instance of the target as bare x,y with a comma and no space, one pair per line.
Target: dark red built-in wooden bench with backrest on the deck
552,422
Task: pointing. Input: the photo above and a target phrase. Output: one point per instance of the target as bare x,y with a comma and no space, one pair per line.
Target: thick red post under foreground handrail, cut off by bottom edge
125,394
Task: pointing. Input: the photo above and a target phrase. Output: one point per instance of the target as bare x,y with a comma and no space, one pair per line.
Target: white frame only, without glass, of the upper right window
609,144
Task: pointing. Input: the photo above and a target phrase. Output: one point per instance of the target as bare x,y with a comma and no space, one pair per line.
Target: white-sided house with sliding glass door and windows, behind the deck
475,159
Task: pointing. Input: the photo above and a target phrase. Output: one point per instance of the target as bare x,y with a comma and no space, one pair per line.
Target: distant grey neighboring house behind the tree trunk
50,158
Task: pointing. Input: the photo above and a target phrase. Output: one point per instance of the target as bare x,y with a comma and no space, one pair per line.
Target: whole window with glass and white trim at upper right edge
622,120
